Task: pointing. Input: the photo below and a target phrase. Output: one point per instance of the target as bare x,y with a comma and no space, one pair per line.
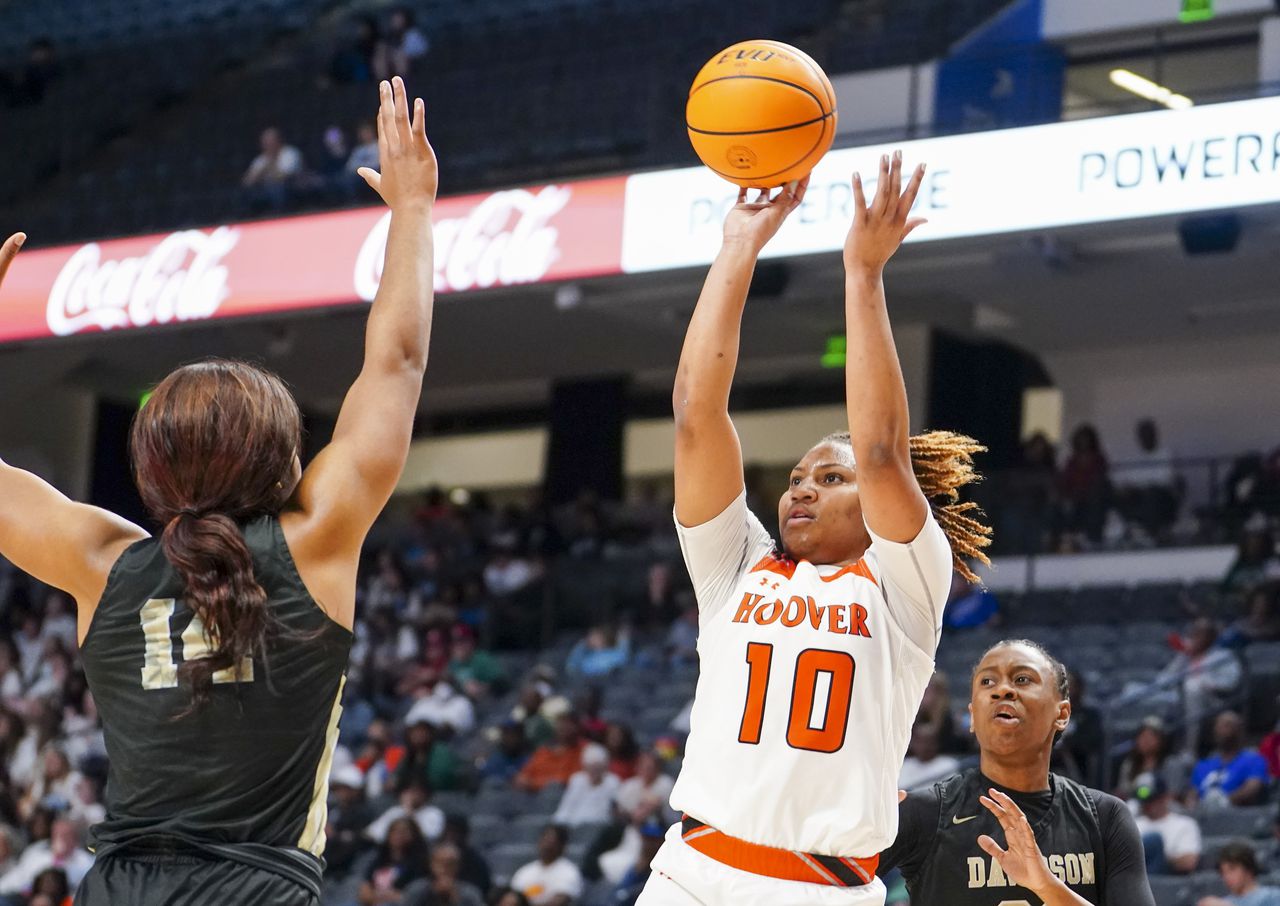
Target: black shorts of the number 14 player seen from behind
182,880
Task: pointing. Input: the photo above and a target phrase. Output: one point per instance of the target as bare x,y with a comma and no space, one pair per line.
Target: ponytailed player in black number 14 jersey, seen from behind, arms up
217,652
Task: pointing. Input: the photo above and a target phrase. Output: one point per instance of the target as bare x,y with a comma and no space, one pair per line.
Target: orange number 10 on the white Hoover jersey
819,674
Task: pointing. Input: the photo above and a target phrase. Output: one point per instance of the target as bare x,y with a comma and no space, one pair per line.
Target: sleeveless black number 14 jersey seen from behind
252,768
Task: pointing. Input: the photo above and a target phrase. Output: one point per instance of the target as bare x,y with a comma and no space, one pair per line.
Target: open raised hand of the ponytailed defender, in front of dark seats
409,171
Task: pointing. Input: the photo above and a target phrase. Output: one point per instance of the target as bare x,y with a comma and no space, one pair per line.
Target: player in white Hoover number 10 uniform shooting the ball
815,653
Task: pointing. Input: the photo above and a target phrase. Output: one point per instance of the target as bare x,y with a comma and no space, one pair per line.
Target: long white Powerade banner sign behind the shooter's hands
1118,168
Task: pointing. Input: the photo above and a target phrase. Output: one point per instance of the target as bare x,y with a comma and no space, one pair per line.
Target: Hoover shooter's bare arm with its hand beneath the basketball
708,457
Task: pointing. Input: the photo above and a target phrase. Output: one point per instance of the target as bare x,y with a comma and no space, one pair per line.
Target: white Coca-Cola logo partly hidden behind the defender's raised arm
506,240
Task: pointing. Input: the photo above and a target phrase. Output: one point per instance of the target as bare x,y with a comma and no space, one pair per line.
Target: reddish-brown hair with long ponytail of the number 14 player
213,449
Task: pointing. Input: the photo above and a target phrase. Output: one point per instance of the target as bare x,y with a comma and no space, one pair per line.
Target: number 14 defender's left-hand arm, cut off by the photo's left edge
67,544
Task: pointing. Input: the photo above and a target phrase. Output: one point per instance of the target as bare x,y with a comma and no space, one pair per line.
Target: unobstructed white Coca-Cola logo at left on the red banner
180,280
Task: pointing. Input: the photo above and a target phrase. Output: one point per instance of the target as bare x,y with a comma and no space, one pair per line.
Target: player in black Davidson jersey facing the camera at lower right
1064,845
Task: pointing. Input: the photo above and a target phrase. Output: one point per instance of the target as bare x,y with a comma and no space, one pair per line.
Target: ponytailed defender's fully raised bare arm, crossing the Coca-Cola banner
350,482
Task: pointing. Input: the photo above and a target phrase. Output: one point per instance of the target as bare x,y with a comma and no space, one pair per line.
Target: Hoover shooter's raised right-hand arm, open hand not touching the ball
894,507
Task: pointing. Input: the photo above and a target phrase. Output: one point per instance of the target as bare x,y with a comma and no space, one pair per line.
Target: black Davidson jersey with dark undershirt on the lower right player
1089,839
